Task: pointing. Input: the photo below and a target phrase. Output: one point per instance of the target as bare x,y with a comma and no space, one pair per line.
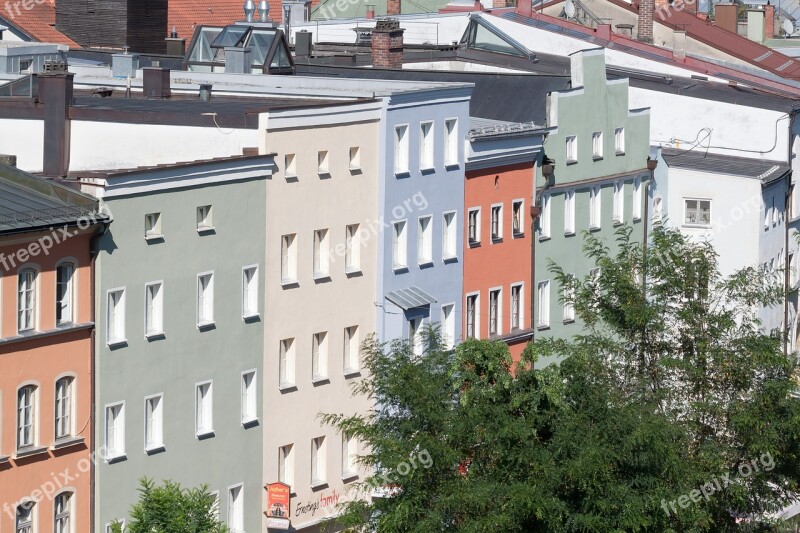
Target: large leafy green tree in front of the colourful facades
670,411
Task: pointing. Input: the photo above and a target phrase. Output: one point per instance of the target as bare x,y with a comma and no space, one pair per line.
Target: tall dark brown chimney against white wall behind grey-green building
55,93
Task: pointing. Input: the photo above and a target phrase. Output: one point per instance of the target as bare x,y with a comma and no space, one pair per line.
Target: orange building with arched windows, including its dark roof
46,329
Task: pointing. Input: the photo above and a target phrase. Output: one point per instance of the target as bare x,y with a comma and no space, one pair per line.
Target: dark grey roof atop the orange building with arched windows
28,202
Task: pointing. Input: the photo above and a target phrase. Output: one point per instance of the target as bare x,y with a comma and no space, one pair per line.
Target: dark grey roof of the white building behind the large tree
764,170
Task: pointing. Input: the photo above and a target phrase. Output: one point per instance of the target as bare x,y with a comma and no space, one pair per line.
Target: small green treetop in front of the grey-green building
169,508
